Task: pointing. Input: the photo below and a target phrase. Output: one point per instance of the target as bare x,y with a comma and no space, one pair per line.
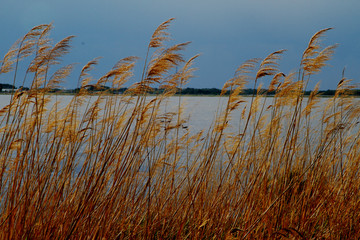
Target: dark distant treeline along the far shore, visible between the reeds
184,91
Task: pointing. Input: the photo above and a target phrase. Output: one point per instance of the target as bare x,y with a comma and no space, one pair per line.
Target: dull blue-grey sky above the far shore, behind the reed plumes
226,33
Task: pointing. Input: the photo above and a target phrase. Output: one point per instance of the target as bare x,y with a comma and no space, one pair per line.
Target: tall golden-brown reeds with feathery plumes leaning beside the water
119,167
